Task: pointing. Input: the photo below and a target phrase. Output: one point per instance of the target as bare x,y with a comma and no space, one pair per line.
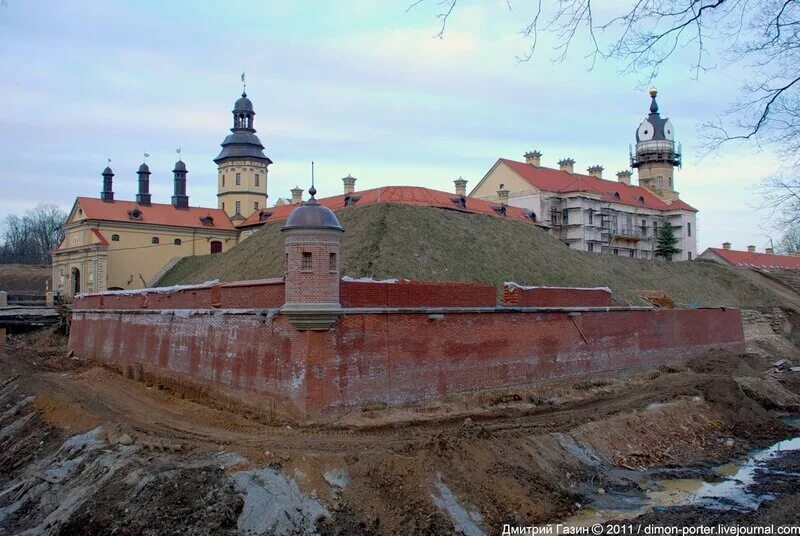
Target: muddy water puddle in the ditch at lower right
728,493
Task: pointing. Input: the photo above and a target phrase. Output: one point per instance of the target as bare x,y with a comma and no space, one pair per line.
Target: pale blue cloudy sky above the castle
360,87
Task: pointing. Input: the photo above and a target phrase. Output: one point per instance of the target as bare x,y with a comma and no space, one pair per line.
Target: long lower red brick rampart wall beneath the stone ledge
395,358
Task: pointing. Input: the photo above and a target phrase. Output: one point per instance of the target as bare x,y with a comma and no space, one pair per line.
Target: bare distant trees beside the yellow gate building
30,239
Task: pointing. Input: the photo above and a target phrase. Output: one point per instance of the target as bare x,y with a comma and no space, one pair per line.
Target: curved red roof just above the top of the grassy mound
406,195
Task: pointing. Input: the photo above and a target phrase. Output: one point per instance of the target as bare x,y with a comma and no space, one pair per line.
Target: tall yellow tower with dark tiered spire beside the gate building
242,166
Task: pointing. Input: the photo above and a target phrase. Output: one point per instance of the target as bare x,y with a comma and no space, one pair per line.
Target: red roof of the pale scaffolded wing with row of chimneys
555,180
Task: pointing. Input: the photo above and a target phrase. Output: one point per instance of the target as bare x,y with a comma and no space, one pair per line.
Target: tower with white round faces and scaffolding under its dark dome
656,153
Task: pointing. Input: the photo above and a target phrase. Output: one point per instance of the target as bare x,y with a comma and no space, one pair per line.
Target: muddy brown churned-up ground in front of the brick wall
85,450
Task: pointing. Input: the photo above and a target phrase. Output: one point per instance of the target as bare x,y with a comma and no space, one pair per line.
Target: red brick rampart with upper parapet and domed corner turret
312,345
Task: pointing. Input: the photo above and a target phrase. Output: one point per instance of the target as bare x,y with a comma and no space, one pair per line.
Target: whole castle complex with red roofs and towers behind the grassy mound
113,244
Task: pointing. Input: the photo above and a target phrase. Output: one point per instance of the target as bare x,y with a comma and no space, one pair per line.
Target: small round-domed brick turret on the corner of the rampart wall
312,237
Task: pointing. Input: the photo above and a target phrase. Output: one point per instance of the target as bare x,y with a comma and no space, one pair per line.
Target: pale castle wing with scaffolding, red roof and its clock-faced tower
590,213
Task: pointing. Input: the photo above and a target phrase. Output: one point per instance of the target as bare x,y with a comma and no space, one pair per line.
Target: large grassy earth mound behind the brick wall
390,240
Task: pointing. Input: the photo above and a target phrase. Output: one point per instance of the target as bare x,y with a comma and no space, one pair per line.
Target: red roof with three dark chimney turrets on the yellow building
157,214
